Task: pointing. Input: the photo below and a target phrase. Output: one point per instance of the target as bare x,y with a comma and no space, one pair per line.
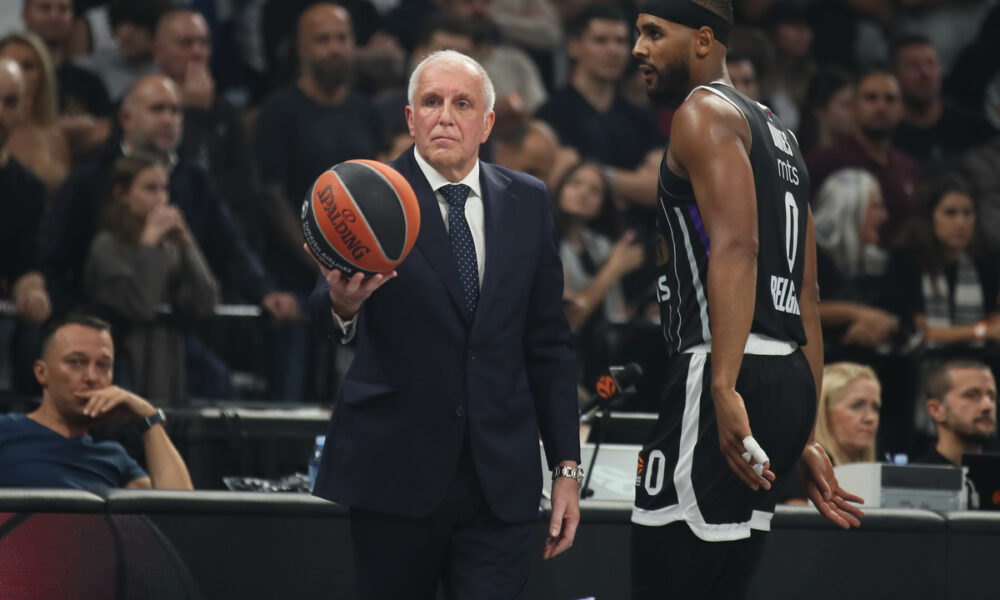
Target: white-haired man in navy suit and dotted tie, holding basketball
463,359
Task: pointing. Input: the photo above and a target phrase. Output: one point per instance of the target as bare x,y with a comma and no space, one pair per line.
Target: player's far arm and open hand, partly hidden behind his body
821,483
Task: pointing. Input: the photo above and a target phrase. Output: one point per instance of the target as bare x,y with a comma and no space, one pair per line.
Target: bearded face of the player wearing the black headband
663,54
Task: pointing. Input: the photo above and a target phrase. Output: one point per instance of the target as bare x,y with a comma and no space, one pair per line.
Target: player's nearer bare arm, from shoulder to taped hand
711,145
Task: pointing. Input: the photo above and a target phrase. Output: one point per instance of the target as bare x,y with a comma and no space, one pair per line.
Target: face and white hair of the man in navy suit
448,119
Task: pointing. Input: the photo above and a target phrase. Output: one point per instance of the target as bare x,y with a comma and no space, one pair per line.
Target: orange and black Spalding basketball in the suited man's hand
361,215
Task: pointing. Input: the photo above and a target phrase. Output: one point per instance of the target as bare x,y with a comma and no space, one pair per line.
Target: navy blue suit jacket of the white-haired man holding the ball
425,371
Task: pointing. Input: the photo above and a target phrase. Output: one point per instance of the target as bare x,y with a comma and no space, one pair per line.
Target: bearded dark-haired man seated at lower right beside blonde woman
962,401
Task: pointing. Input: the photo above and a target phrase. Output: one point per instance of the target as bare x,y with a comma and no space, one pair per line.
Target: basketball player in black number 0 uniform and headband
736,284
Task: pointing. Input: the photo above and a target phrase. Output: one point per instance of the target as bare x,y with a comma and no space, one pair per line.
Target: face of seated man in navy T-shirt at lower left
77,359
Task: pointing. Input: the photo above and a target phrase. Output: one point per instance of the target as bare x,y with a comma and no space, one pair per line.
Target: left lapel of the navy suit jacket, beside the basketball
433,239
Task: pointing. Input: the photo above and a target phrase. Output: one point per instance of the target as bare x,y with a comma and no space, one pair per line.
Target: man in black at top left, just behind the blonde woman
79,91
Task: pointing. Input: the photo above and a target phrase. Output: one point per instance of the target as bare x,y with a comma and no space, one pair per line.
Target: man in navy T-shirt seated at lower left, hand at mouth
51,446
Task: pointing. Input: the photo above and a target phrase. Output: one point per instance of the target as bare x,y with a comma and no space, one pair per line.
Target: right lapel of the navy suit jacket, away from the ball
499,210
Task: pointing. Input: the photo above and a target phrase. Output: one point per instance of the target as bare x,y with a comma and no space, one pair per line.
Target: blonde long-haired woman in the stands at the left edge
38,143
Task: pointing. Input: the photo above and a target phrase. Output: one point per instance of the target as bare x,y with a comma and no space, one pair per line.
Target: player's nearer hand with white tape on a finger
734,428
